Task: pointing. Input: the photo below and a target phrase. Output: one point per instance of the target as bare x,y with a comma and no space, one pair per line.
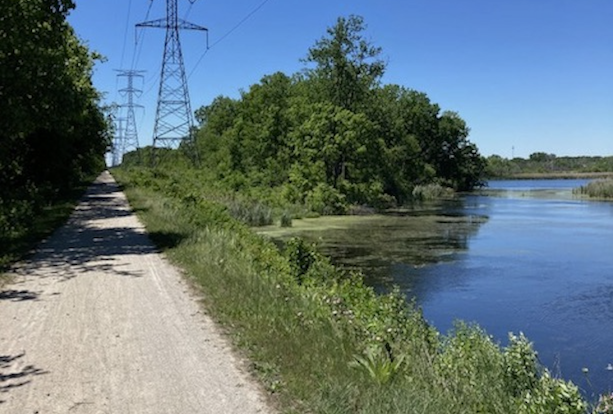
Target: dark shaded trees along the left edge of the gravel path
53,135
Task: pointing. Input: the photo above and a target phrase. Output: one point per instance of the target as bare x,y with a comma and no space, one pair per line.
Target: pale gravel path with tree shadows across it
98,322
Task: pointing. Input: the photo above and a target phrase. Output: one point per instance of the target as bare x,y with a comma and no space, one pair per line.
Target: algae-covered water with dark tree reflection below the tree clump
381,245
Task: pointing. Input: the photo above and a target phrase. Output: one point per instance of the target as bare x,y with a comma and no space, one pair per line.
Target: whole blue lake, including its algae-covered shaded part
520,256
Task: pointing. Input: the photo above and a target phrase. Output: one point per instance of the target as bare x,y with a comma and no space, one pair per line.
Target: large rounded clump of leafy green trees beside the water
333,135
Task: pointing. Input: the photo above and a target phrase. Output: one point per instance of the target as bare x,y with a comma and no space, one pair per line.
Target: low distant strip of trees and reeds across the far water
540,164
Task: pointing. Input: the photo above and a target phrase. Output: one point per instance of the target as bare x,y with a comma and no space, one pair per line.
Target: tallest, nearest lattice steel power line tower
173,116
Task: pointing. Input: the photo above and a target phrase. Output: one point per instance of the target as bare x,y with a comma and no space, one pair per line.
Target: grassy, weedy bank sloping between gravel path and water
319,339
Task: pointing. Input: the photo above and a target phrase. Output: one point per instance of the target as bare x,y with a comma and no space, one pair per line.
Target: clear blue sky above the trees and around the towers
526,75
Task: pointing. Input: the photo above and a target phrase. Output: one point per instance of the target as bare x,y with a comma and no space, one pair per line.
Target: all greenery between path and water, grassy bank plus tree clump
330,140
